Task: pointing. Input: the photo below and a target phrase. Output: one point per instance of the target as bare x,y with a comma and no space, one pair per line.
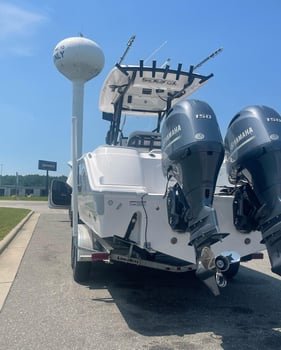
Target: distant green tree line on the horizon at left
28,180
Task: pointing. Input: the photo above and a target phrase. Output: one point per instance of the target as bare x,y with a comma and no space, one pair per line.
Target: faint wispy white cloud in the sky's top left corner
17,27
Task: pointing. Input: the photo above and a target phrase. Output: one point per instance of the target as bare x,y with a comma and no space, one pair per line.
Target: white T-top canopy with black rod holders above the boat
142,90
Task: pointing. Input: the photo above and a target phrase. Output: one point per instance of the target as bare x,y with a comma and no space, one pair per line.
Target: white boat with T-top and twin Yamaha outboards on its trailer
161,197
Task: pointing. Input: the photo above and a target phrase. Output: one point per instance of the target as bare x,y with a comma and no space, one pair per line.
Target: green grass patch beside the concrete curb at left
9,218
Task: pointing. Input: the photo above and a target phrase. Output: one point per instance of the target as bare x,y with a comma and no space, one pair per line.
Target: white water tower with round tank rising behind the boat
79,59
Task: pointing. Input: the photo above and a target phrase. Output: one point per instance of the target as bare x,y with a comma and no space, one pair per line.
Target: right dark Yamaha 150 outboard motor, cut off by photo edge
253,148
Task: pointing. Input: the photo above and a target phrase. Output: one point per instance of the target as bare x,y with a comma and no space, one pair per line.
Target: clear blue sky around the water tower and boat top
36,100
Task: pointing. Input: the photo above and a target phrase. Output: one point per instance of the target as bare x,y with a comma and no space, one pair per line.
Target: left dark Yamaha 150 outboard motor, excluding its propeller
193,152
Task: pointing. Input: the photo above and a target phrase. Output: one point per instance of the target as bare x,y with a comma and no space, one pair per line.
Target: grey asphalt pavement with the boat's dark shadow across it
127,307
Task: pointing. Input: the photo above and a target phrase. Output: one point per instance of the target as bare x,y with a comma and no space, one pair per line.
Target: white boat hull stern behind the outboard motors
134,191
